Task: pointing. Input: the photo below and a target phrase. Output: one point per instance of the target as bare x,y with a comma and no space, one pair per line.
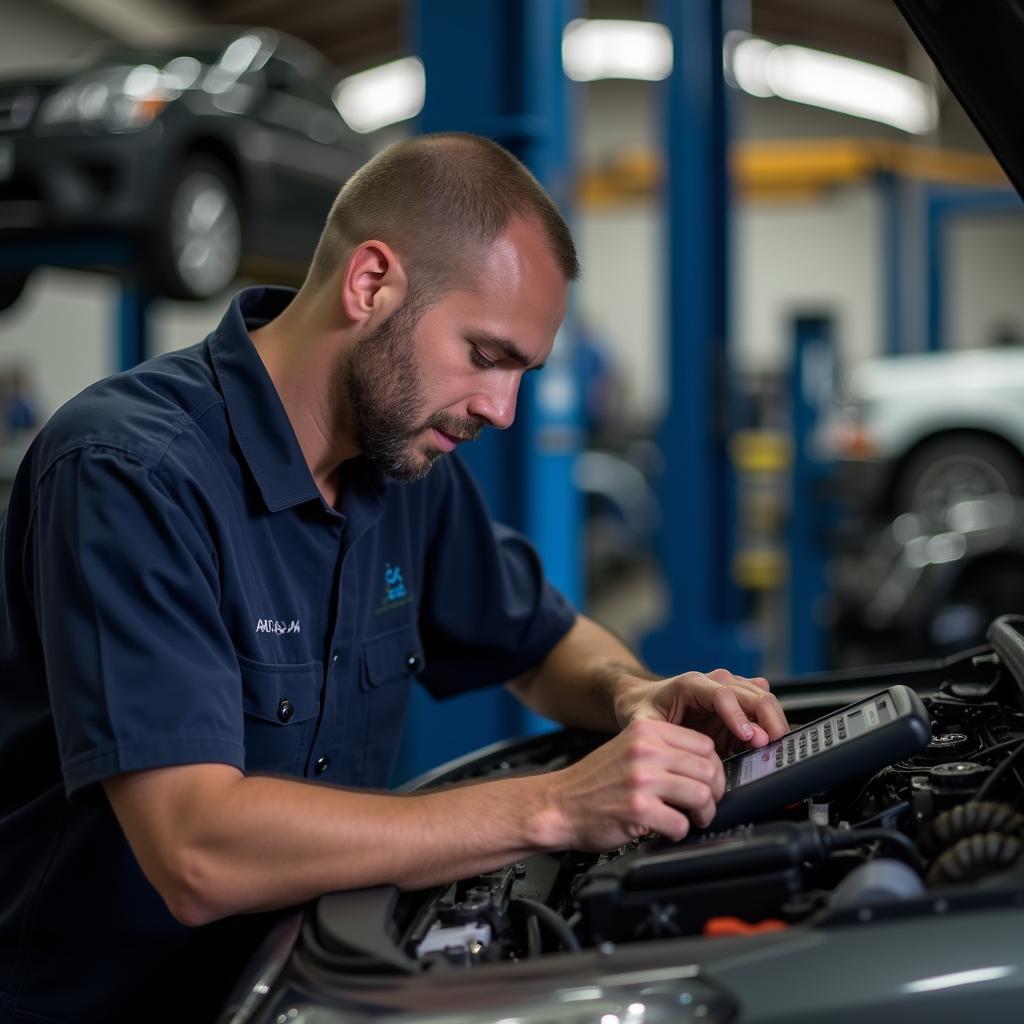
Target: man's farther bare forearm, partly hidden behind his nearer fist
582,679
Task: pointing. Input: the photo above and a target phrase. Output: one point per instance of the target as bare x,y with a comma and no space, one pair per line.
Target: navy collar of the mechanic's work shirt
259,419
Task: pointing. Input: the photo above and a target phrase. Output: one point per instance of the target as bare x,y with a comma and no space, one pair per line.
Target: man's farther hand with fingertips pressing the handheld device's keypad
734,711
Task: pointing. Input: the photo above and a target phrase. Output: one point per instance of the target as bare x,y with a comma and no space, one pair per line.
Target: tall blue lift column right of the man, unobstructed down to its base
703,629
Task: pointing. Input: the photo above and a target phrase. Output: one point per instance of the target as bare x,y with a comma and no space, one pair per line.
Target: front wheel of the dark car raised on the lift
197,250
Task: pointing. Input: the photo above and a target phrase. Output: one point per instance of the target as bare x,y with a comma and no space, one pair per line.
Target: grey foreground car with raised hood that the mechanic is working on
895,892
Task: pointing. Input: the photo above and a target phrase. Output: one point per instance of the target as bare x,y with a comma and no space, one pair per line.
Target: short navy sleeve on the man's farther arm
489,613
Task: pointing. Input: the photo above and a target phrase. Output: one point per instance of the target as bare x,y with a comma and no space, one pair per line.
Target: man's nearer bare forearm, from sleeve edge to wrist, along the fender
262,843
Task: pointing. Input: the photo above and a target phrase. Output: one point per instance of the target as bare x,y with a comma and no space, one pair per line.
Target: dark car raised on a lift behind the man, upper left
218,153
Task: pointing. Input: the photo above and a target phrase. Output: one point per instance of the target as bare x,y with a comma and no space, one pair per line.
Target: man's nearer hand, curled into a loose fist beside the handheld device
653,777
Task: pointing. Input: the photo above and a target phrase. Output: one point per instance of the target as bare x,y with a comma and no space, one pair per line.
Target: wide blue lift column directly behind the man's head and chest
494,68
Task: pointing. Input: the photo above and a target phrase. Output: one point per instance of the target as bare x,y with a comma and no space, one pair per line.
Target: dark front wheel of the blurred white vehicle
954,468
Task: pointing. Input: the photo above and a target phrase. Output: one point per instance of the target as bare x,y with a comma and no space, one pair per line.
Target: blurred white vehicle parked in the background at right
919,434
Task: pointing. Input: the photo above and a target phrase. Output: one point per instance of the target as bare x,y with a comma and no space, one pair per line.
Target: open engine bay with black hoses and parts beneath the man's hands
928,836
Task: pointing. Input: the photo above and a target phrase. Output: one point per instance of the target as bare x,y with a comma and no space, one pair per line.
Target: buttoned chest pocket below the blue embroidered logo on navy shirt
391,664
